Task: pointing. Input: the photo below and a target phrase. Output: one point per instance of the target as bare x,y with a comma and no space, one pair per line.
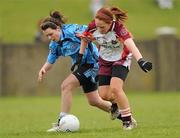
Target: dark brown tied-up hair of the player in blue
54,20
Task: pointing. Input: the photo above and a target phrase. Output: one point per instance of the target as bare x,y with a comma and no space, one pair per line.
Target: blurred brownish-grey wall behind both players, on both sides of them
20,64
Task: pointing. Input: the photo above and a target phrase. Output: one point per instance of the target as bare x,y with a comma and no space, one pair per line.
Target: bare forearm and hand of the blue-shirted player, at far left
47,66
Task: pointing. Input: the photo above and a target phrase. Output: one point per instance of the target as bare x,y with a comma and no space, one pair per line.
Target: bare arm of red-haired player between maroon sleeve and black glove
132,47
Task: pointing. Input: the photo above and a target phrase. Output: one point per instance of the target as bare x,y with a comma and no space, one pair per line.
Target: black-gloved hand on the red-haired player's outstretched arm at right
145,65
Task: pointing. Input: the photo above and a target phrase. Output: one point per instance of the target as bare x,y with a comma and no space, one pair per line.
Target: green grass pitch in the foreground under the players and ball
158,116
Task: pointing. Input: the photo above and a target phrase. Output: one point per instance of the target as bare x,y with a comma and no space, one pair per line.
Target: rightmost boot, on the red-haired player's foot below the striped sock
128,125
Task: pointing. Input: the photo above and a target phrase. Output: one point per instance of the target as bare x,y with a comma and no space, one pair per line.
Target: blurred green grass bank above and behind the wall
18,18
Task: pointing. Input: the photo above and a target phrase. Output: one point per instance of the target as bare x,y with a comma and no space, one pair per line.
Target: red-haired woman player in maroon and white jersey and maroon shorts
116,48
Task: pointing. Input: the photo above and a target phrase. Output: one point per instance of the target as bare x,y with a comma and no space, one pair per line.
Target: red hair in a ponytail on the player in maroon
109,14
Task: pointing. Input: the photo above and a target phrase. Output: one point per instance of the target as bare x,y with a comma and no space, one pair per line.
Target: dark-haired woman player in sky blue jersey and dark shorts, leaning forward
64,42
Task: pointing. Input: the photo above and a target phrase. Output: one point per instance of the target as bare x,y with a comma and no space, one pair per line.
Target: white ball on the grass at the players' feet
69,123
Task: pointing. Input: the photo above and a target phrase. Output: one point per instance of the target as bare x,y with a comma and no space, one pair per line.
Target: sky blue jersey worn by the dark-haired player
69,45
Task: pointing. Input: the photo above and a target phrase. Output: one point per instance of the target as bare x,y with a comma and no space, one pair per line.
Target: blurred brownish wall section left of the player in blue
19,69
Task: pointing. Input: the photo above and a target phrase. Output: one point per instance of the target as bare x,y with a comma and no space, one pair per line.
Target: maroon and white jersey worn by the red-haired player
111,44
